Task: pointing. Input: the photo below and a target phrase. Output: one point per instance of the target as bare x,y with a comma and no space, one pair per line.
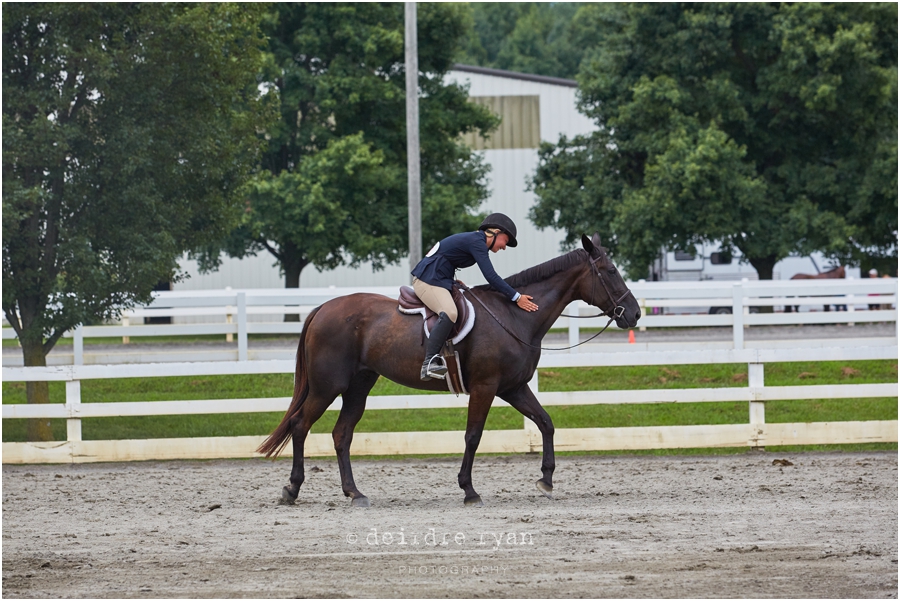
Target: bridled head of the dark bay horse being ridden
605,287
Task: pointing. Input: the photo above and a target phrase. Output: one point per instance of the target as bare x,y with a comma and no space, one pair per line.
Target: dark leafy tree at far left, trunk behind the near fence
127,129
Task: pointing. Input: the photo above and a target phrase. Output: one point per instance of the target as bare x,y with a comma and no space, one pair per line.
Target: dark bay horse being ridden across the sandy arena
348,342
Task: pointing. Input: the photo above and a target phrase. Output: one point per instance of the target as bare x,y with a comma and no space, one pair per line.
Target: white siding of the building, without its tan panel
510,171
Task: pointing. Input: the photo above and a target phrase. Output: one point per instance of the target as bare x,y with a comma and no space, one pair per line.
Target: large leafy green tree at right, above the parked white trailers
770,128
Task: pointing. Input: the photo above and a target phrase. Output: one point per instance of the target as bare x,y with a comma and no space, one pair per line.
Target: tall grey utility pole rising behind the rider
412,136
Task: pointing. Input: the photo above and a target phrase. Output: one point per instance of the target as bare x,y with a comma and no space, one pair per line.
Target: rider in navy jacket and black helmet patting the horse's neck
433,279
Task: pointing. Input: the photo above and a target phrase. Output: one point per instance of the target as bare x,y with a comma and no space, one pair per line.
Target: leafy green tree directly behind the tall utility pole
332,187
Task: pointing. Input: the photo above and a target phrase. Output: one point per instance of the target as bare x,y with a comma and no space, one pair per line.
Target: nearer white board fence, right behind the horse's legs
755,433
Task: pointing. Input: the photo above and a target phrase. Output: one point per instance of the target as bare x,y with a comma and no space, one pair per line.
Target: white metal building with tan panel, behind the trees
533,108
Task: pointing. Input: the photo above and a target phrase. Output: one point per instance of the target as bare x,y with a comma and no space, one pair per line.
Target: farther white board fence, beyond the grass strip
239,310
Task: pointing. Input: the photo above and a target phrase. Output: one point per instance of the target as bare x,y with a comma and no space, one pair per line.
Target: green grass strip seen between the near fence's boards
501,417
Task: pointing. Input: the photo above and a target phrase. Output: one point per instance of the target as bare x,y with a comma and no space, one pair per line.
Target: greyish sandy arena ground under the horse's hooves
731,526
